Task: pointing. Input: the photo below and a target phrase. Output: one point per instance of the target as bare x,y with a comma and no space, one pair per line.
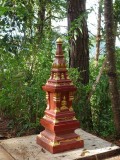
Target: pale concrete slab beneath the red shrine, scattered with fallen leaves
25,148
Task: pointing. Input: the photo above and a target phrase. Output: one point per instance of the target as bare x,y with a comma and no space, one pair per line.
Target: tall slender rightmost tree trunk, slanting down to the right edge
111,62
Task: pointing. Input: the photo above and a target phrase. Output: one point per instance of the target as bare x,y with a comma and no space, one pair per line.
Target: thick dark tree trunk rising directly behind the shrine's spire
79,53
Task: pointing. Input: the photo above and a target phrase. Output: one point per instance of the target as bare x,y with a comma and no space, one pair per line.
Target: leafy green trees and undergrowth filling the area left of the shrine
26,53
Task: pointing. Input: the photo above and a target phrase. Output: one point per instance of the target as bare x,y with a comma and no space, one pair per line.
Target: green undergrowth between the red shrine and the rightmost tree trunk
102,116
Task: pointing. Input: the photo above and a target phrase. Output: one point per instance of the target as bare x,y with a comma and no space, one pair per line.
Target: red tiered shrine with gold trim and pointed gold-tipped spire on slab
59,120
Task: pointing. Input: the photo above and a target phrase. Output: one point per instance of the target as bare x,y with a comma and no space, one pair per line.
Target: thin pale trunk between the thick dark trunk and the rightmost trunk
98,37
